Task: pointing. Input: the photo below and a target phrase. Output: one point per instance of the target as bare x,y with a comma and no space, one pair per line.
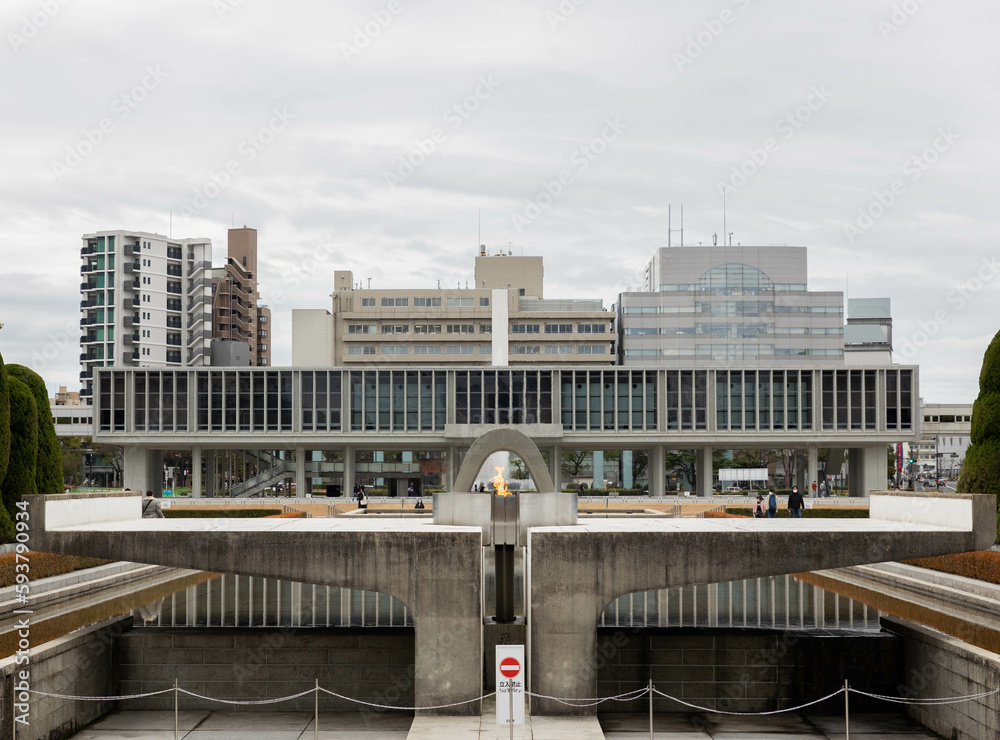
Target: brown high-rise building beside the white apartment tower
236,313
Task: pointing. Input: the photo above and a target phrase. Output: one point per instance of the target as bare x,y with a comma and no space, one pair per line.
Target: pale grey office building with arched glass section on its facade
719,306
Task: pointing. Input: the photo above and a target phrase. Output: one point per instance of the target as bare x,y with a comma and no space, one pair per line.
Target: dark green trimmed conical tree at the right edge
981,470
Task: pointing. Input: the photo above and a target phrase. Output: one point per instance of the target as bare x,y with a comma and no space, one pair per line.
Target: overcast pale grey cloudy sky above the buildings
369,135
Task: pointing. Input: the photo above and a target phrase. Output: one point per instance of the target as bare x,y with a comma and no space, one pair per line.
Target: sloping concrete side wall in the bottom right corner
936,665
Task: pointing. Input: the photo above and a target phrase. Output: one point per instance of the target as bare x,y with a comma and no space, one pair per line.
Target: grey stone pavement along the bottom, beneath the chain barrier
237,725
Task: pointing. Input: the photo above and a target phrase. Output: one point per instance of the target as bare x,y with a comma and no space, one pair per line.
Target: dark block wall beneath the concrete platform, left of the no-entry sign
371,664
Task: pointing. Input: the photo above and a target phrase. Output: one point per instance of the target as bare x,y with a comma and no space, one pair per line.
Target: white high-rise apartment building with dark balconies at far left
146,301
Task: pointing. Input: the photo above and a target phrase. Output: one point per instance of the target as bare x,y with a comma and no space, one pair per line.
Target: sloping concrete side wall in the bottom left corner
80,664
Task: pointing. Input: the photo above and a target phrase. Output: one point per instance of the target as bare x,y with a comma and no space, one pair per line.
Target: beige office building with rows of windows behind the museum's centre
503,319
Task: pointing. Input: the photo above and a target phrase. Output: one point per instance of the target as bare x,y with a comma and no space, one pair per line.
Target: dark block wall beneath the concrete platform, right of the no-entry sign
746,670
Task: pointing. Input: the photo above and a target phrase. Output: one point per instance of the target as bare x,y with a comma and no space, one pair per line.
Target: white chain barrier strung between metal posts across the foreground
585,702
